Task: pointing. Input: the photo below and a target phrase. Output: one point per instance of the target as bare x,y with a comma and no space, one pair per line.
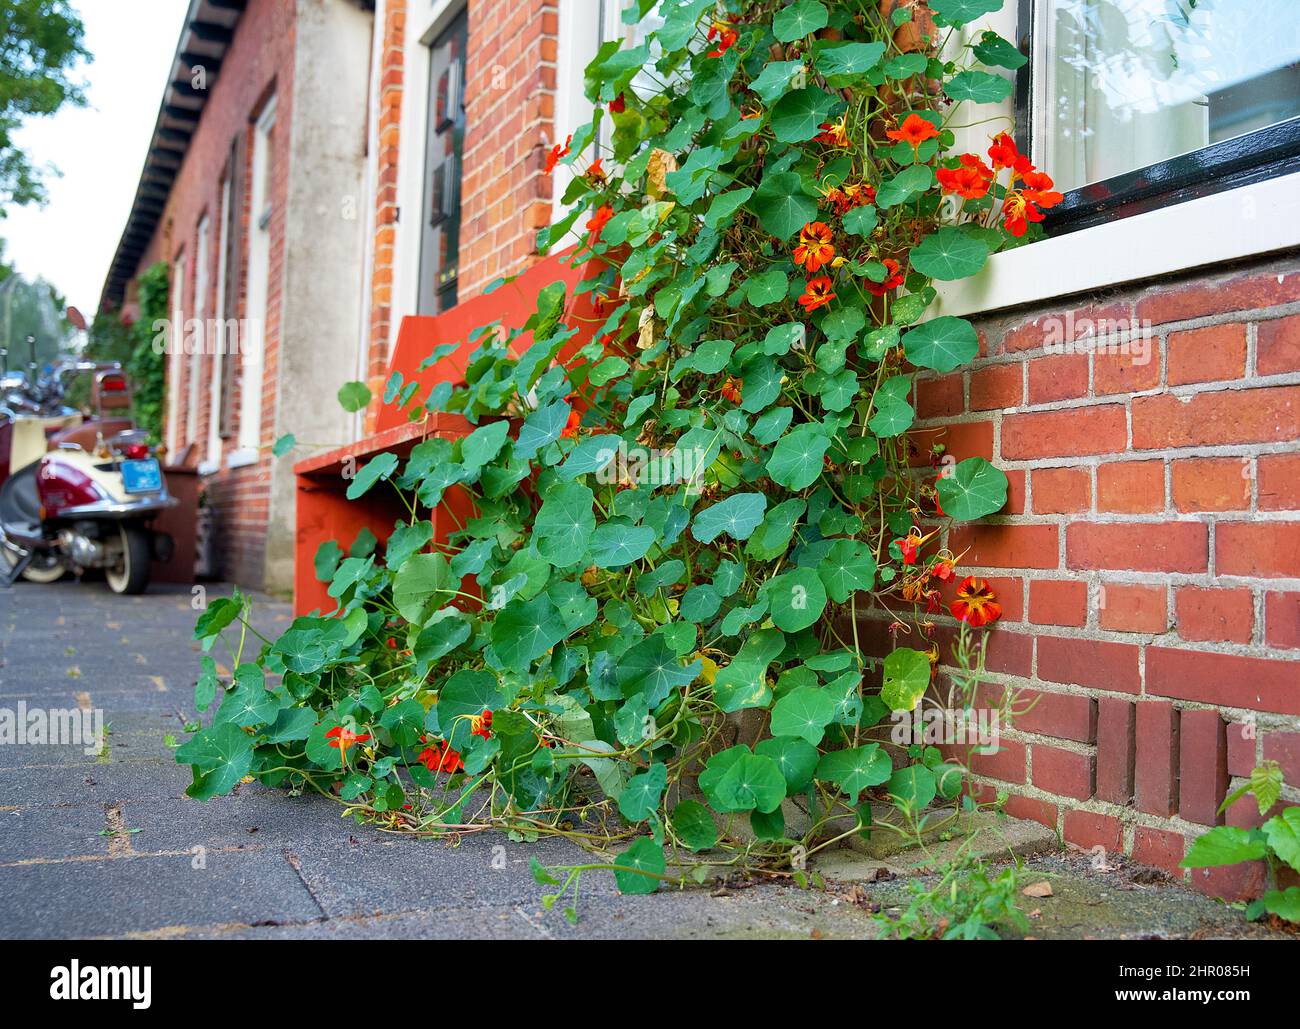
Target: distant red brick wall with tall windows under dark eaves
258,66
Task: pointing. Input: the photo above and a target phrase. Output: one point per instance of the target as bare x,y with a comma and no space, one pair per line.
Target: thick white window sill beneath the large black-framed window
1253,220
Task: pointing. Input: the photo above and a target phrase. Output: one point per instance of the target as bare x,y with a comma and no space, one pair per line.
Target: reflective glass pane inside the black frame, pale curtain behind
1134,83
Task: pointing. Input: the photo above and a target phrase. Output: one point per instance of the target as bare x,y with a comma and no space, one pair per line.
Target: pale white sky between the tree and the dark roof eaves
99,149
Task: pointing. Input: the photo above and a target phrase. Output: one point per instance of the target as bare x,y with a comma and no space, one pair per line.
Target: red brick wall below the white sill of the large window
1149,559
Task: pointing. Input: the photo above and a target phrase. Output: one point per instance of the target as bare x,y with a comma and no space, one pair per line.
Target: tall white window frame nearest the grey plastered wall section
253,340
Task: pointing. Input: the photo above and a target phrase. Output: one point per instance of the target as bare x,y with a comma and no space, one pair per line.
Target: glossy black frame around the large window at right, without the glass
1256,157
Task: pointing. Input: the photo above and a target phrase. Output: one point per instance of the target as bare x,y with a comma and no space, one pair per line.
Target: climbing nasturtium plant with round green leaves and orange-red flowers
681,526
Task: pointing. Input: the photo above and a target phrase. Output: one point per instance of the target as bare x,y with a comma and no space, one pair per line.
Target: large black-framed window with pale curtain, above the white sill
1134,105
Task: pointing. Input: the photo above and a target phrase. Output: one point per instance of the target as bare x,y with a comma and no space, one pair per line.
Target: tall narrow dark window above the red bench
445,138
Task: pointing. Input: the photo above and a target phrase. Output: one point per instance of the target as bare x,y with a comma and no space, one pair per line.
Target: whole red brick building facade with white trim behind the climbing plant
1139,381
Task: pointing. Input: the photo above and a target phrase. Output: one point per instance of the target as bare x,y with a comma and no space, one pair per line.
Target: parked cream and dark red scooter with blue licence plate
77,494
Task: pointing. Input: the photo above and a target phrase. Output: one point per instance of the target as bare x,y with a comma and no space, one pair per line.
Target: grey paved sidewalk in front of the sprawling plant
110,846
